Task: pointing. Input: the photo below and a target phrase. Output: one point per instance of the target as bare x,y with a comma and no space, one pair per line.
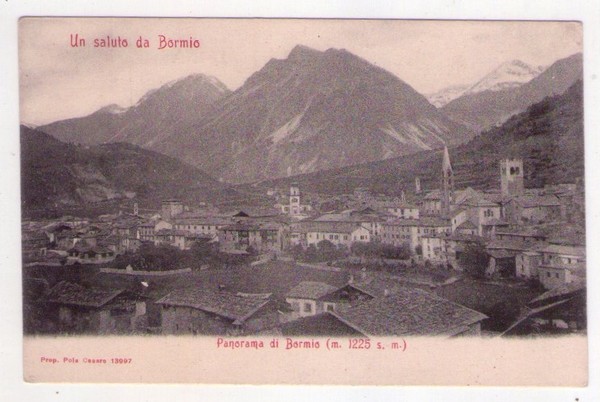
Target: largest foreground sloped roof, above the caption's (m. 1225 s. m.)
408,312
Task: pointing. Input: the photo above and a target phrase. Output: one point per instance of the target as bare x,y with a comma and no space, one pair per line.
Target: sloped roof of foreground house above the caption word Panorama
224,304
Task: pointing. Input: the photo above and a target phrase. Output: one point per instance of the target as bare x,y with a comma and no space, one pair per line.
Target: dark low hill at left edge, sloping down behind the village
58,176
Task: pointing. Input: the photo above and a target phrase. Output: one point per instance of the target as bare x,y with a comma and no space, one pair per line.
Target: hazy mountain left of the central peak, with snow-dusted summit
158,114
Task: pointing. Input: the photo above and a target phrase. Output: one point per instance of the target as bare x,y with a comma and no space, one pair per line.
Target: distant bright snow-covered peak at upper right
511,74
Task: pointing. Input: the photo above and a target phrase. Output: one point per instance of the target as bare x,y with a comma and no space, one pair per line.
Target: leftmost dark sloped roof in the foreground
73,294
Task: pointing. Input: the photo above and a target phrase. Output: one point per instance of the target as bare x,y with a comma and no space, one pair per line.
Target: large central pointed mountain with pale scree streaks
312,111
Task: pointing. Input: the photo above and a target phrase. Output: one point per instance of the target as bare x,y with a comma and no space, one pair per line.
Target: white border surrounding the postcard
12,386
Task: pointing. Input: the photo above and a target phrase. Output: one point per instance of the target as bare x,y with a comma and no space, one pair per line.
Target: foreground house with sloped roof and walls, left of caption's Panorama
201,311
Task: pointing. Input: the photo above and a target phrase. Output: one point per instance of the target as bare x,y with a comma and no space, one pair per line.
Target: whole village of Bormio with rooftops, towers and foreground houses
447,262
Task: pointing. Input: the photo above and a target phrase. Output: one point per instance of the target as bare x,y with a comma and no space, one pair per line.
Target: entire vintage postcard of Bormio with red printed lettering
303,201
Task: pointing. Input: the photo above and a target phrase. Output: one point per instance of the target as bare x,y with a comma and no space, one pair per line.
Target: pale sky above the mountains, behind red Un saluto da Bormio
58,81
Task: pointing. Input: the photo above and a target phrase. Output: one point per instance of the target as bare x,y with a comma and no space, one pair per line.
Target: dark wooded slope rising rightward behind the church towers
548,136
